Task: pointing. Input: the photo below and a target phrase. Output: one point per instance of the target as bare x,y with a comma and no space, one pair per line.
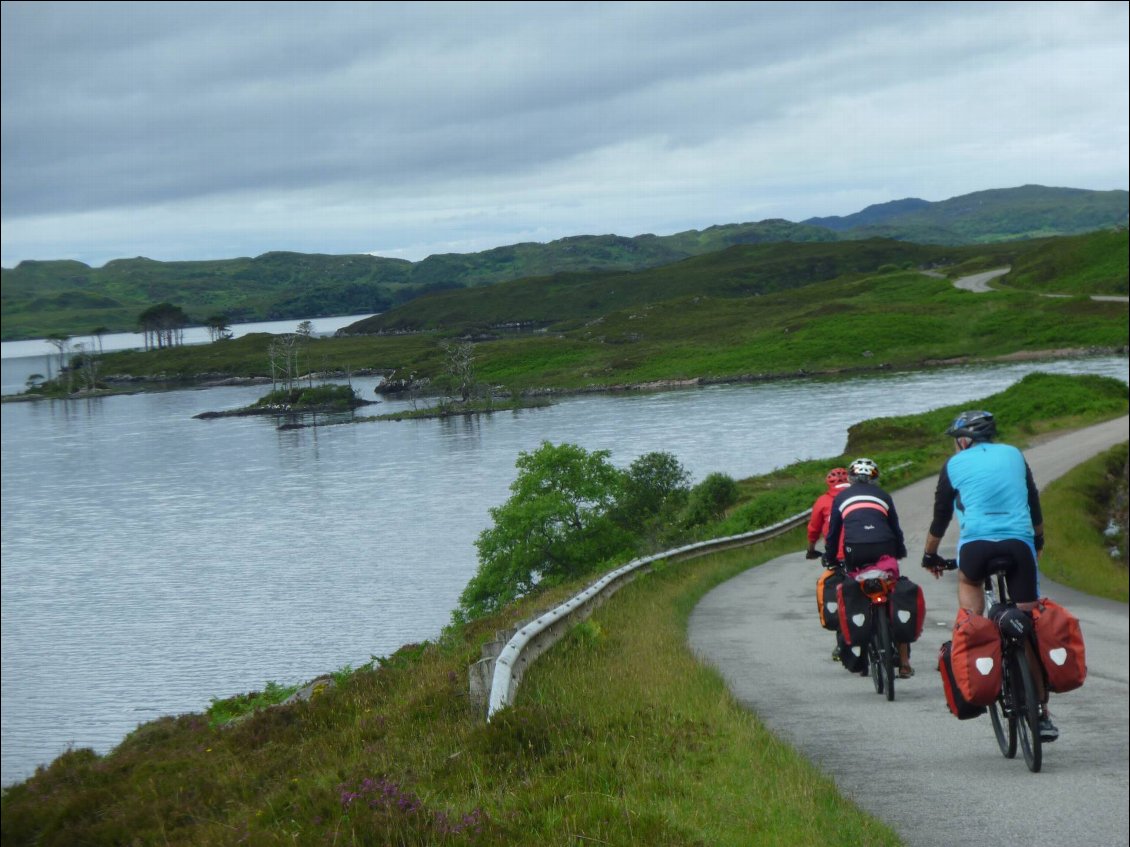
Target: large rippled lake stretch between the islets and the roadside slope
153,562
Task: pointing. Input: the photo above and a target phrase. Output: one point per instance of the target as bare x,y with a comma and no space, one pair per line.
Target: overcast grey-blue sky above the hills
212,130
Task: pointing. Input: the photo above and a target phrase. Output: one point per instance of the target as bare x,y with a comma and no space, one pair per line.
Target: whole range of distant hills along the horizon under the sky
41,299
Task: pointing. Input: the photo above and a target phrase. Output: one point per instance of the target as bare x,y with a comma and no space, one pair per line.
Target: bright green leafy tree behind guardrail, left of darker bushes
557,526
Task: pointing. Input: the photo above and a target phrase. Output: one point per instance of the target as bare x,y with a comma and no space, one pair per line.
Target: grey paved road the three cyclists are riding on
910,763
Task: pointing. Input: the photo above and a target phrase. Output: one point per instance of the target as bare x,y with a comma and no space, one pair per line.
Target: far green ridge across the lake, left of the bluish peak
41,299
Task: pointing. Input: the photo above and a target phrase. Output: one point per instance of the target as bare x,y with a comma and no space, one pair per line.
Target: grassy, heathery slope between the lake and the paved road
620,737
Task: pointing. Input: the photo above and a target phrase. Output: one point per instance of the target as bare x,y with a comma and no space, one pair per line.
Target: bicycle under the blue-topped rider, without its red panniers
1016,712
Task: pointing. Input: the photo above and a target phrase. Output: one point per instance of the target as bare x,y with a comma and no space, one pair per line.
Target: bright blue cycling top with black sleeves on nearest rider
990,487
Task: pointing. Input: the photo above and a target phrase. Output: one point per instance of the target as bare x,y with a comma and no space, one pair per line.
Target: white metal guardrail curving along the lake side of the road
496,678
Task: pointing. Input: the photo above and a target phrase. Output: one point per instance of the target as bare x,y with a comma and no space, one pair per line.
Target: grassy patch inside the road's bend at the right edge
1077,509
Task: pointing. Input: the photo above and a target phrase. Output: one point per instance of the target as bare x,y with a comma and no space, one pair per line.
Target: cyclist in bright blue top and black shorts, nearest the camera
992,490
